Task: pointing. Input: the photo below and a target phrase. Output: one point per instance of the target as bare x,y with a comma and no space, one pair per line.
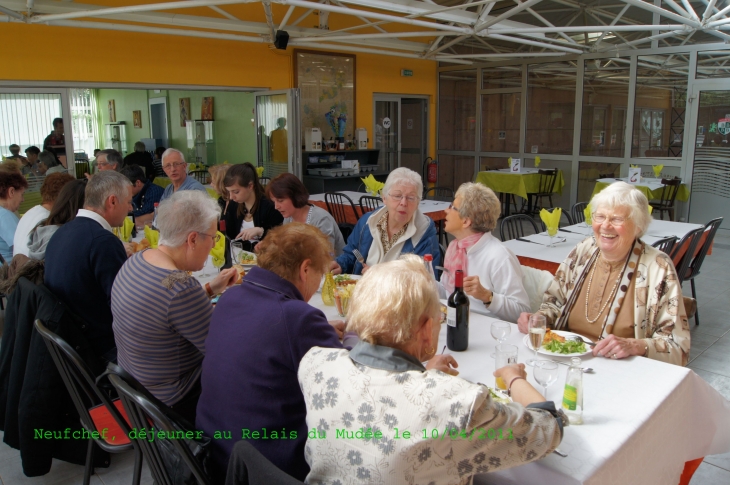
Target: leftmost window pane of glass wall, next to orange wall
457,110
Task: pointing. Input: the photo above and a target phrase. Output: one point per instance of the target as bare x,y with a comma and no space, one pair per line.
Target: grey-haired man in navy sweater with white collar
83,258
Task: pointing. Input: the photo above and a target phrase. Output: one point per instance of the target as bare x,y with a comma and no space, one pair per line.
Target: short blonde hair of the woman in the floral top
390,299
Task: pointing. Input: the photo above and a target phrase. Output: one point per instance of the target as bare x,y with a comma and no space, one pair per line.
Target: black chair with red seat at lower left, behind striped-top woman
92,404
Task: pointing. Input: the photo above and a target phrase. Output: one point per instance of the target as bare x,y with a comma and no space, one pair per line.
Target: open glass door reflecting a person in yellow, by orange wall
278,139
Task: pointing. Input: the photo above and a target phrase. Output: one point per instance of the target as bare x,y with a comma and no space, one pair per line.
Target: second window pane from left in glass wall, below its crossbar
501,122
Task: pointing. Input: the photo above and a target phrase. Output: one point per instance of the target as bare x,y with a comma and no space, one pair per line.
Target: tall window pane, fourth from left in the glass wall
605,97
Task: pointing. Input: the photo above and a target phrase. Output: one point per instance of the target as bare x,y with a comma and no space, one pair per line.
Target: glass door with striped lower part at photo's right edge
710,192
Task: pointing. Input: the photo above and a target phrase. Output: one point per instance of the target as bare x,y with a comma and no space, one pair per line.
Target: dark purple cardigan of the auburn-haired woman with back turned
258,334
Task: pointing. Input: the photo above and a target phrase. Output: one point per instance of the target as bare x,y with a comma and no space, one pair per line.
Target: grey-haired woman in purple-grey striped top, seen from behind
162,313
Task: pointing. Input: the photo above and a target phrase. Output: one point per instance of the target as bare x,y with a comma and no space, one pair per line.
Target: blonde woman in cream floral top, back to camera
367,408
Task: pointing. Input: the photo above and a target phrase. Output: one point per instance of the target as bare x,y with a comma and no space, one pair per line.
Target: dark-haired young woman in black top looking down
255,214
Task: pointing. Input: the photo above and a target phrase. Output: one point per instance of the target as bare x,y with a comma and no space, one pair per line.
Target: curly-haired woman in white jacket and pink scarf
493,277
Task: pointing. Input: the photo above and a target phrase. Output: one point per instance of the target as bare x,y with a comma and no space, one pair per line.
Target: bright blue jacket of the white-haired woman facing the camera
424,241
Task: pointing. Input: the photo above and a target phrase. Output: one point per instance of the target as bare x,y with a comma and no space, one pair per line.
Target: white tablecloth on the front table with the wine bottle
643,419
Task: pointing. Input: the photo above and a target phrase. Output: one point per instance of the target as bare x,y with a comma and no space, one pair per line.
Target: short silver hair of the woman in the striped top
185,212
